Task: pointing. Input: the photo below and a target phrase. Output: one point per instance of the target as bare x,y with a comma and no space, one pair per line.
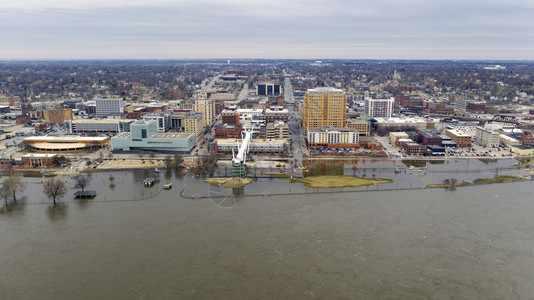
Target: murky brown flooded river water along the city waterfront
476,242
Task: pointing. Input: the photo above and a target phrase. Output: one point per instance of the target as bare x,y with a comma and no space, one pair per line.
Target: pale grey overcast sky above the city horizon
377,29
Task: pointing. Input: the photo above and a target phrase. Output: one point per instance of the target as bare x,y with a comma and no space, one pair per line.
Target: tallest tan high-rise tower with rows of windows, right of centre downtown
324,107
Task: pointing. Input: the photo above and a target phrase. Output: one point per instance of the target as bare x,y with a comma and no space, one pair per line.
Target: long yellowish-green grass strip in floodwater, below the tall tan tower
338,181
